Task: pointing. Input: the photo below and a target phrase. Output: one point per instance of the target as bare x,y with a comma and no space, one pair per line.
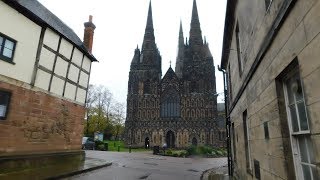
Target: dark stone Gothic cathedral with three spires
180,108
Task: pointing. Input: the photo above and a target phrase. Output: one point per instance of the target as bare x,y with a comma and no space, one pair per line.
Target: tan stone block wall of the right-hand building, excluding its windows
297,38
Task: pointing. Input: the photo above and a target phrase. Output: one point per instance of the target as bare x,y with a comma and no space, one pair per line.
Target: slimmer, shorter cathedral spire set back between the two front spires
180,56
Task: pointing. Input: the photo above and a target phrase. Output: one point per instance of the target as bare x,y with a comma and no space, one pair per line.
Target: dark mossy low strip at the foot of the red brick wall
40,166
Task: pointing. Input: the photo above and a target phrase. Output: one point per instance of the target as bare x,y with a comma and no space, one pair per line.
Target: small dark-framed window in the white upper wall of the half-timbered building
7,46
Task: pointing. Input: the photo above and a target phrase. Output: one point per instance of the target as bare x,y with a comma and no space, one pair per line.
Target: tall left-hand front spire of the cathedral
149,40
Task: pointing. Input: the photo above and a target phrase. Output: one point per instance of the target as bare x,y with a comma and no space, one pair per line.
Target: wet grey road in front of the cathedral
144,165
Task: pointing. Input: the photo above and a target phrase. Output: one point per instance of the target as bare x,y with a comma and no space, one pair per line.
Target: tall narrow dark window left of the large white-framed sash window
246,140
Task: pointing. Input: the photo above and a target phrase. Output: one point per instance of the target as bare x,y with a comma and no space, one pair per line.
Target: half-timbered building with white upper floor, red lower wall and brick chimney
44,76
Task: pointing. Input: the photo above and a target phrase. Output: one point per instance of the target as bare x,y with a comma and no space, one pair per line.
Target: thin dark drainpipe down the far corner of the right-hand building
228,123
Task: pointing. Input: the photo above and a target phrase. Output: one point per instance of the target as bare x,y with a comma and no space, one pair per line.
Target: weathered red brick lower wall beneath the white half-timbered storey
39,122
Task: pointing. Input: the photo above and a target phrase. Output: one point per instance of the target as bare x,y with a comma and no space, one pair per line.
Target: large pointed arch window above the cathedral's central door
170,104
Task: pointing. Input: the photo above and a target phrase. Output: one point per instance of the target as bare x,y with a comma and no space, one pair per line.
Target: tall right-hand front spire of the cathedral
195,30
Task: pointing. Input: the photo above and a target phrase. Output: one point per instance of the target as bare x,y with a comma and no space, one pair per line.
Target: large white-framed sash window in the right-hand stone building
299,127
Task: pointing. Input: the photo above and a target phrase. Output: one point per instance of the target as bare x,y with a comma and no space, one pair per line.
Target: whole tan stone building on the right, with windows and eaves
271,59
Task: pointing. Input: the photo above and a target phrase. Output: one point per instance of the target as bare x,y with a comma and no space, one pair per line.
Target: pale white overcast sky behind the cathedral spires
120,28
